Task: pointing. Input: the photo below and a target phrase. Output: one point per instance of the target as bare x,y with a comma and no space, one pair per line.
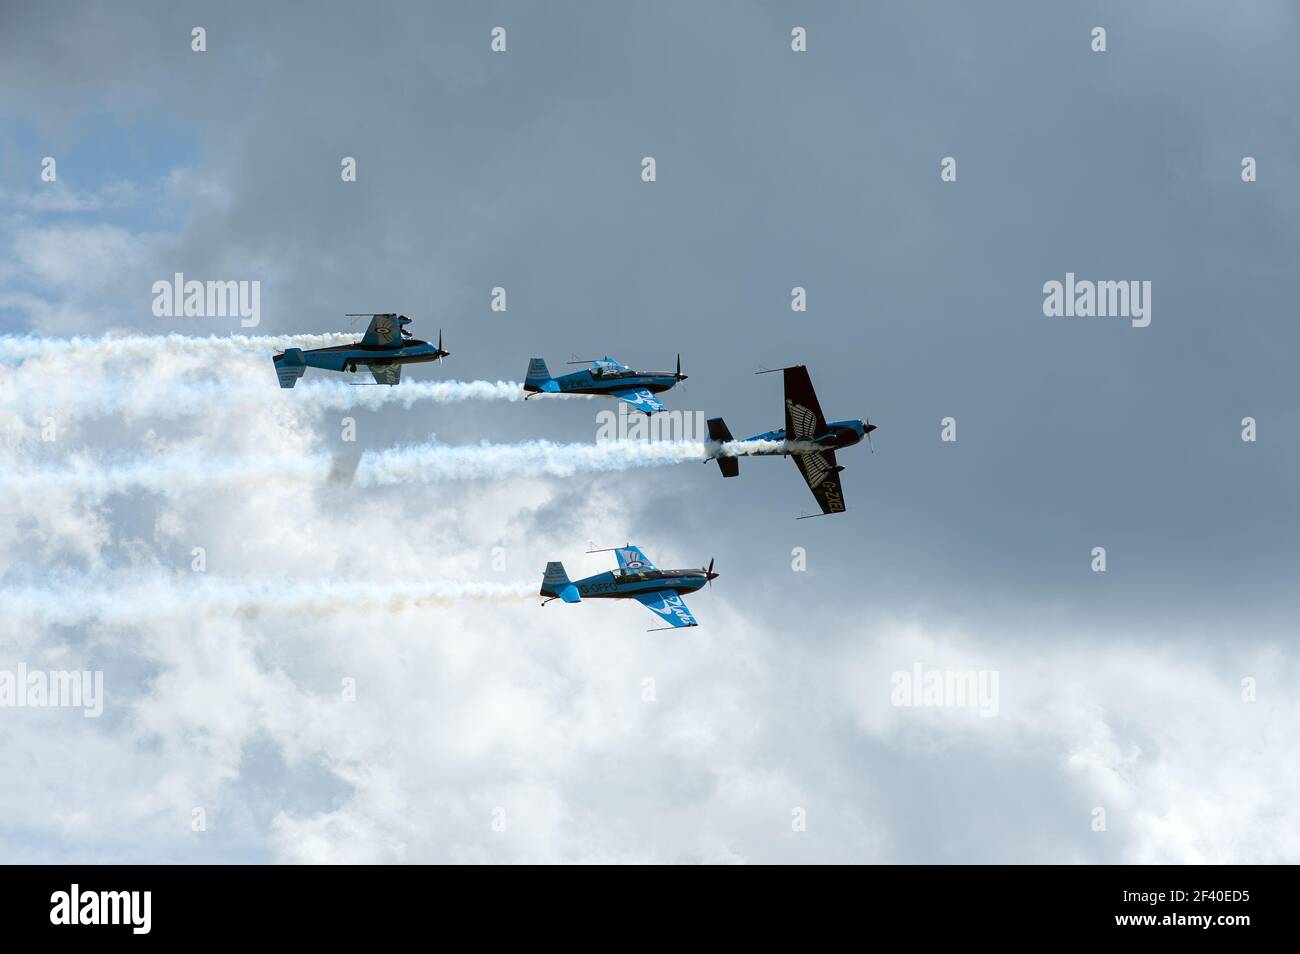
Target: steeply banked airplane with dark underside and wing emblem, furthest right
807,437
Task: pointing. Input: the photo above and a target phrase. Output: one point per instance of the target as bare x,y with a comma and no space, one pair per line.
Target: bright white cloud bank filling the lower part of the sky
492,732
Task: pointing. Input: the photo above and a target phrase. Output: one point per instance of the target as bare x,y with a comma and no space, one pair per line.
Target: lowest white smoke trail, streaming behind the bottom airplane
129,601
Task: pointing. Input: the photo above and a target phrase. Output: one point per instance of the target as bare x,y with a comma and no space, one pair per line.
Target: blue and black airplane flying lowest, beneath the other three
660,591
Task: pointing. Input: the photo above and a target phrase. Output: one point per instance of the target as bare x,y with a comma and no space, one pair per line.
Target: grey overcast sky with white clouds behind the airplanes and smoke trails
1119,691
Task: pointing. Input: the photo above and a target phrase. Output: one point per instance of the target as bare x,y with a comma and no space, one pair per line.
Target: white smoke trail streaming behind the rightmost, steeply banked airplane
431,463
